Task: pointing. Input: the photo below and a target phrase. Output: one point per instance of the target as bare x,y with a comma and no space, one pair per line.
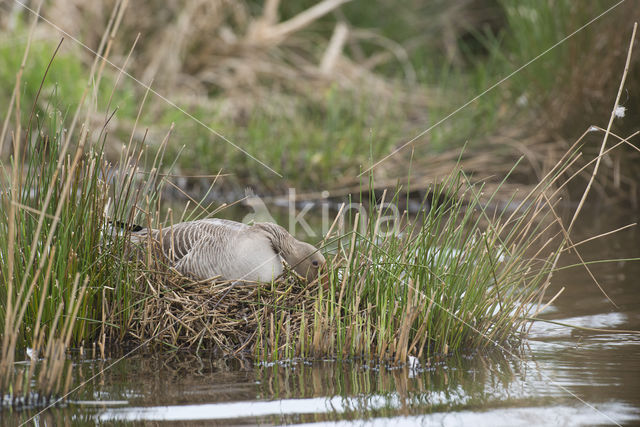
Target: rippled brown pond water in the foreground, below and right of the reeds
561,376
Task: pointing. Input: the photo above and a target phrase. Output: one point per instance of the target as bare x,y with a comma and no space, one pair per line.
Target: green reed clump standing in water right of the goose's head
460,277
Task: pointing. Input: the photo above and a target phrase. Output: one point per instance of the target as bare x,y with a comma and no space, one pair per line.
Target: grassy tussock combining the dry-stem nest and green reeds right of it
463,276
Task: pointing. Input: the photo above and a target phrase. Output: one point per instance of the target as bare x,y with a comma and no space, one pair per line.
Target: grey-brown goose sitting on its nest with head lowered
230,250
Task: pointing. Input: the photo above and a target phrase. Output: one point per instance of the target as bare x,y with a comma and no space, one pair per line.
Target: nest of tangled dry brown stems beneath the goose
229,317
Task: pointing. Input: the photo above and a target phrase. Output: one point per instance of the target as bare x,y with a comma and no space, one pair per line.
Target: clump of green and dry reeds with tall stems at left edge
65,277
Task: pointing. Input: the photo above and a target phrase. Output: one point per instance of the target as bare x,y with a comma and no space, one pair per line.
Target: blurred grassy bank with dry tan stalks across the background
321,90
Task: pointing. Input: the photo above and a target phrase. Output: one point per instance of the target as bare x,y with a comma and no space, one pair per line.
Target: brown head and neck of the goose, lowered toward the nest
304,258
